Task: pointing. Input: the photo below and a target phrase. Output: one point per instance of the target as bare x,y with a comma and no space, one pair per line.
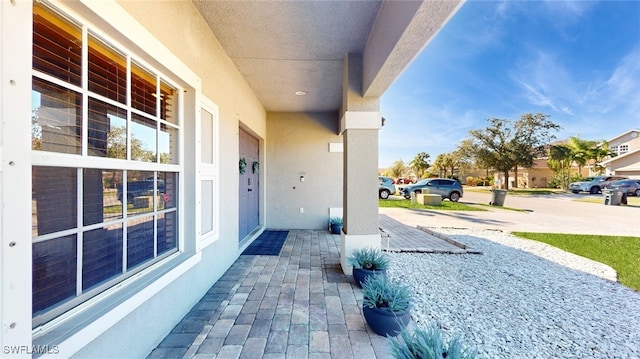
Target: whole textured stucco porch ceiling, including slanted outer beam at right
281,47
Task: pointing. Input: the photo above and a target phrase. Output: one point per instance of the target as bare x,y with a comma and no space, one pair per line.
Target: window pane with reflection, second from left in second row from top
107,130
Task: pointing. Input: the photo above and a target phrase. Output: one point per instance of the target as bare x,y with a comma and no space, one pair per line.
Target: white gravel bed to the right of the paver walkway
511,303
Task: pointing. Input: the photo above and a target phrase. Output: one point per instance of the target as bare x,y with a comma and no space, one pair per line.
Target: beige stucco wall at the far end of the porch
301,148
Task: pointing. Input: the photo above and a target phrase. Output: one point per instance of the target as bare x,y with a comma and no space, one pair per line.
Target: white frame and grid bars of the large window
84,160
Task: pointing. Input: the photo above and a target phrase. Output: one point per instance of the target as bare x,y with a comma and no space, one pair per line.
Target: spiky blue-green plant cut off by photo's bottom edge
427,343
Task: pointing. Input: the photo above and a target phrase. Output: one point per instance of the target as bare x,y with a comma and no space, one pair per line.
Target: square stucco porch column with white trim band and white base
360,124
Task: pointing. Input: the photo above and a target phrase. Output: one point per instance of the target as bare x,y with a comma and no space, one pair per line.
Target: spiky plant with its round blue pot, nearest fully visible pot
386,305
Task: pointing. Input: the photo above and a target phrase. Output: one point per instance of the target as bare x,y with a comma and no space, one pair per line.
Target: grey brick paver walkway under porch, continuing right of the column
296,305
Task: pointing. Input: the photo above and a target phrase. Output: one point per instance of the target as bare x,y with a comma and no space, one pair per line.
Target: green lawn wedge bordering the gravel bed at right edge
619,252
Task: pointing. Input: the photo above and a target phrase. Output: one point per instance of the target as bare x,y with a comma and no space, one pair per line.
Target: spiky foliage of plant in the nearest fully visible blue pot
380,292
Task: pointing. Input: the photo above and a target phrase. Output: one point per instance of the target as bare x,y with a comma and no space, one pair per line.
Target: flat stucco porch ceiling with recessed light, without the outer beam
281,47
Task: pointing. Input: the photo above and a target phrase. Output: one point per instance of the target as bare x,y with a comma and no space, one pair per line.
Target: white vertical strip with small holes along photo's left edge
15,173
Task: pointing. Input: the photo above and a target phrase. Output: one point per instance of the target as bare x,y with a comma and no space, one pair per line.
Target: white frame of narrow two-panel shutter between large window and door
208,172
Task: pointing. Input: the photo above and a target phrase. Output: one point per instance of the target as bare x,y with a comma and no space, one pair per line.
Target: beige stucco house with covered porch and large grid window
144,145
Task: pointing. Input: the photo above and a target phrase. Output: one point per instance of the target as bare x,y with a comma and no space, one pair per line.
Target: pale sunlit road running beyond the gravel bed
557,213
